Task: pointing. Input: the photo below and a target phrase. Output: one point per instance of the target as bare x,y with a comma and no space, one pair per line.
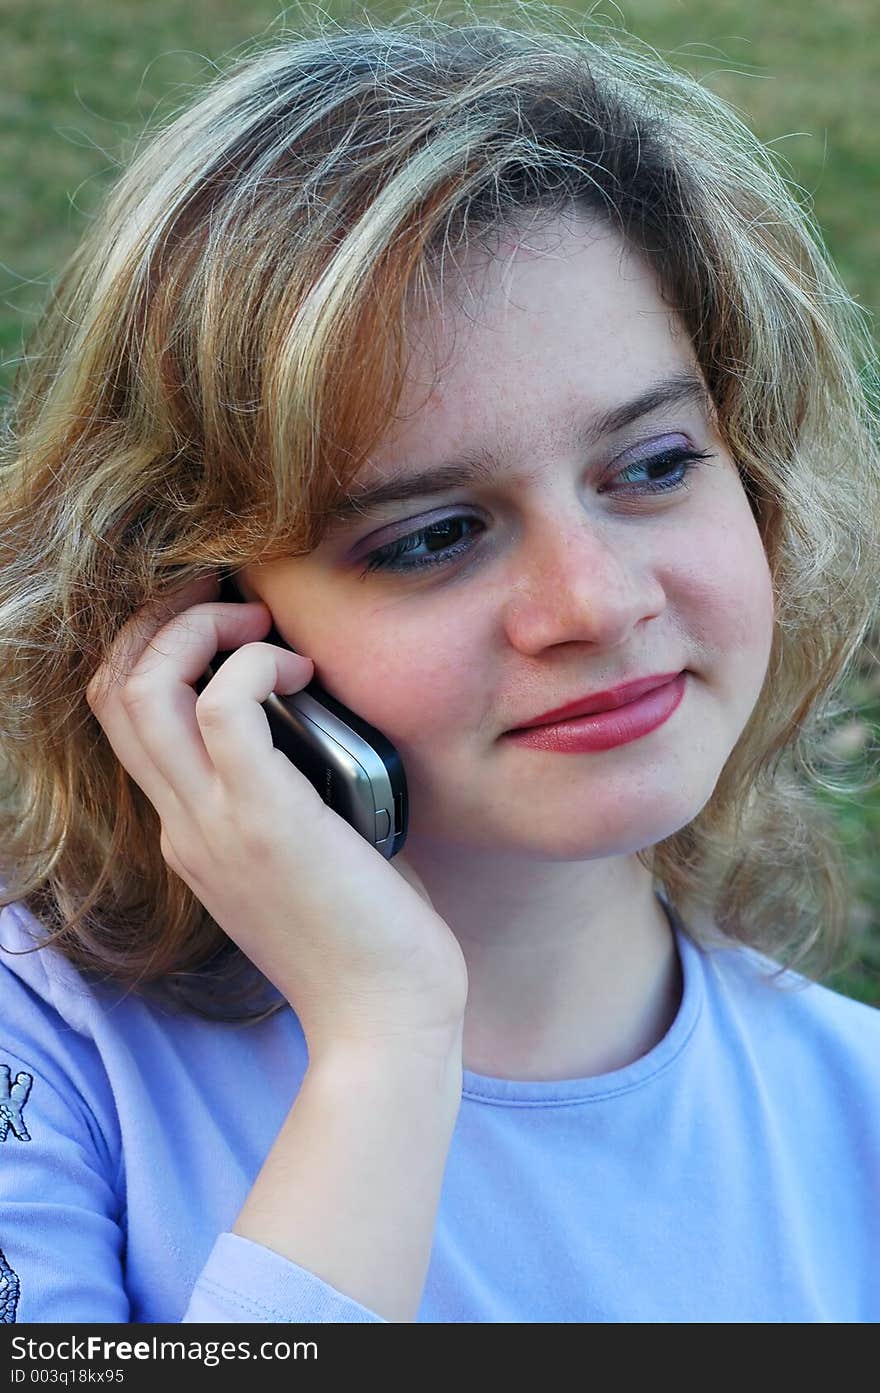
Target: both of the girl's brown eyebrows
482,466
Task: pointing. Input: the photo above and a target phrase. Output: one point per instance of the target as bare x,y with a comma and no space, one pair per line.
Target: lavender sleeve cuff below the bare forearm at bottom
243,1281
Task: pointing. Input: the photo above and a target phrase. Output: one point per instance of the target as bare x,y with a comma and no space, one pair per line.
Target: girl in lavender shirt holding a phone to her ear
513,394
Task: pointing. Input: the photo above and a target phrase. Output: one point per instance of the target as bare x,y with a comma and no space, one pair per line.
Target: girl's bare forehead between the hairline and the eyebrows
528,332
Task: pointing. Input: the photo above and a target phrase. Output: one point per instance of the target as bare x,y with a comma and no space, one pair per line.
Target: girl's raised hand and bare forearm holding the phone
375,976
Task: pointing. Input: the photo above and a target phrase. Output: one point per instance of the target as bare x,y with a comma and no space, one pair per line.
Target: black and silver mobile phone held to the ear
356,770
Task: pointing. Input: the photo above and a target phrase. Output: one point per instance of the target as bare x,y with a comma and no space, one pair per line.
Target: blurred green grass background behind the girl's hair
80,80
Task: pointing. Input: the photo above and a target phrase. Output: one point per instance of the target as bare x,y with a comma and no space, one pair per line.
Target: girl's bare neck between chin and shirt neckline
573,966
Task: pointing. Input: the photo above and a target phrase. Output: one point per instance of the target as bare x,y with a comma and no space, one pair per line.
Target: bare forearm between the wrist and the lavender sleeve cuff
352,1186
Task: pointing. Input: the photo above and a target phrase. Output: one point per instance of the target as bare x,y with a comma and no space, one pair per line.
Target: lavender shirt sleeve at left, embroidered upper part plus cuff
63,1221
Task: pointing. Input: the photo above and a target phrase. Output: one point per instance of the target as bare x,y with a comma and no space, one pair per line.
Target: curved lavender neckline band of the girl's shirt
547,1093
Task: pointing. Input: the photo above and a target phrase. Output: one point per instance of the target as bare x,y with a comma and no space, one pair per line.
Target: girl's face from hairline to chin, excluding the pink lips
576,563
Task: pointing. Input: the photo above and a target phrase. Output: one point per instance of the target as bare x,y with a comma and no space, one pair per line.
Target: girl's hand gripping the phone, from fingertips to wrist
353,944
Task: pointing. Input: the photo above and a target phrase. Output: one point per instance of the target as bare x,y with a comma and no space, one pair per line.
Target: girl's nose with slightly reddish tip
581,582
